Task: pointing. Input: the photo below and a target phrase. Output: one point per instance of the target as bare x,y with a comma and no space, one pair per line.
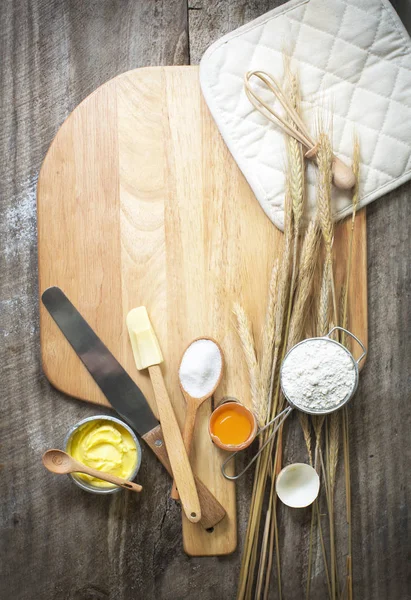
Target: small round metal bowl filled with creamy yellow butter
107,444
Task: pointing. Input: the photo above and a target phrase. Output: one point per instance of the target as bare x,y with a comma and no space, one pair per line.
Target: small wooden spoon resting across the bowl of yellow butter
62,463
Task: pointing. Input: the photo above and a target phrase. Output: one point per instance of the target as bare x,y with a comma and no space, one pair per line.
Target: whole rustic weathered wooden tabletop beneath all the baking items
57,542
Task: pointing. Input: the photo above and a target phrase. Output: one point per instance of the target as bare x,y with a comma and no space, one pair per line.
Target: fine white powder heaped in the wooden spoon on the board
200,368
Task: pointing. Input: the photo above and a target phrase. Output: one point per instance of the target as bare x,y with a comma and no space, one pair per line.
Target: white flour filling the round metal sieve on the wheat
318,375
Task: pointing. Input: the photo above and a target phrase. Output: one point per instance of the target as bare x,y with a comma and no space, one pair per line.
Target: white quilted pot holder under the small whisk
351,55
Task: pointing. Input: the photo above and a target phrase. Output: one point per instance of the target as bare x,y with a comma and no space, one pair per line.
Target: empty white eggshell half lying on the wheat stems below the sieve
297,485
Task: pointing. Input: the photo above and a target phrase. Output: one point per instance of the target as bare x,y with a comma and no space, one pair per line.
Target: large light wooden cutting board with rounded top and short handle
141,203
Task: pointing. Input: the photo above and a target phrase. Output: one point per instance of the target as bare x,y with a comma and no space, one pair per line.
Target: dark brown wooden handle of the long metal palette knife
211,510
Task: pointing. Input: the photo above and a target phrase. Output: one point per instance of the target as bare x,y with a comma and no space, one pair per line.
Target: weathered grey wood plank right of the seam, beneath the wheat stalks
380,416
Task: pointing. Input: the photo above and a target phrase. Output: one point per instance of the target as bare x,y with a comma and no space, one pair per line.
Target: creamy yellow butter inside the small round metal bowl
106,446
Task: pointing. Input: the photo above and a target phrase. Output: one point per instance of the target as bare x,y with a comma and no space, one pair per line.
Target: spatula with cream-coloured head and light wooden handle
147,354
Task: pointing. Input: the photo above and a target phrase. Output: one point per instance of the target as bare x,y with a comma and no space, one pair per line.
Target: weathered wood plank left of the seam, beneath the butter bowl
55,541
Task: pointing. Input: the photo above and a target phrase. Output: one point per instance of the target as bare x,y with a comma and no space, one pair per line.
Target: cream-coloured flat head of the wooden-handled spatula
144,343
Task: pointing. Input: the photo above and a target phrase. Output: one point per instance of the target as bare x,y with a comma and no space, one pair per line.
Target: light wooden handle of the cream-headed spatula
180,463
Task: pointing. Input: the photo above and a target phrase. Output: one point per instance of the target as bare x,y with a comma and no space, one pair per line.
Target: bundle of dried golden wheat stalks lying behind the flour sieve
287,319
